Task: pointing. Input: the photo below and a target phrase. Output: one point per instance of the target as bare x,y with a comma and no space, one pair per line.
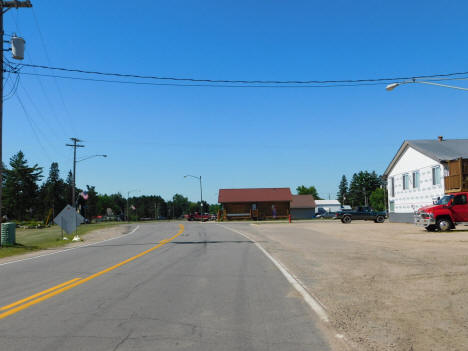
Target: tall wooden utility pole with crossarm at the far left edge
4,7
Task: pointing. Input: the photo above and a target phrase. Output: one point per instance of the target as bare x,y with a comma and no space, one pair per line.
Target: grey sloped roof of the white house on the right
444,150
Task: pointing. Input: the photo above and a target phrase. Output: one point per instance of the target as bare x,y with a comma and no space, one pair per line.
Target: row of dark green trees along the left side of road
26,197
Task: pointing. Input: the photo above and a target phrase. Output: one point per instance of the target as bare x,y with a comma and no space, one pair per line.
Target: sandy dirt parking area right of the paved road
385,286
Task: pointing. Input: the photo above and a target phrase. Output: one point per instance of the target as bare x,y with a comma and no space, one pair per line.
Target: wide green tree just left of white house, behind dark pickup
362,185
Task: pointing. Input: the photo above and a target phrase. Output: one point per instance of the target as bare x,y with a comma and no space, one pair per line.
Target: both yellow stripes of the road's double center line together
58,289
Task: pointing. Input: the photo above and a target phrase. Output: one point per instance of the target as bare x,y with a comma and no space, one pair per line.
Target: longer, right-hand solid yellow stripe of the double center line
84,280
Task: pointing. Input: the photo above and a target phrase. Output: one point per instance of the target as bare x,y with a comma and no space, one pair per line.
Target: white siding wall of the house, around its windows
409,200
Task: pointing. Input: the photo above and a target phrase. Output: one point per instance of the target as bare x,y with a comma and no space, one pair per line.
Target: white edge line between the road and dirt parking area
314,304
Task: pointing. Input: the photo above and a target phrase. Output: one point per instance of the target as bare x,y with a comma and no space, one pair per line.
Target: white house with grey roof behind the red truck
415,177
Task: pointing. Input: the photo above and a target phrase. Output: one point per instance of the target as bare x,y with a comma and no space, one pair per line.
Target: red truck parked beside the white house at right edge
445,214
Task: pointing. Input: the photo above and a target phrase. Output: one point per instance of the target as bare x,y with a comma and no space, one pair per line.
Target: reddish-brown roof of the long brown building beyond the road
254,195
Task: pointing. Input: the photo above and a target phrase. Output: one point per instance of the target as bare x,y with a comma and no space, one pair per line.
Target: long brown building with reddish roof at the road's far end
255,203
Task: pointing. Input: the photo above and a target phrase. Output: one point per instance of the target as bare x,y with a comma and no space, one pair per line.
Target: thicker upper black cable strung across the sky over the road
124,75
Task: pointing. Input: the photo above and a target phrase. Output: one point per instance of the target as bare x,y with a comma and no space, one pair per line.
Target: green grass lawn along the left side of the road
36,239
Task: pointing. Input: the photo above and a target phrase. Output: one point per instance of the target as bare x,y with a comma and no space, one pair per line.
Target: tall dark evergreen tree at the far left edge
21,189
